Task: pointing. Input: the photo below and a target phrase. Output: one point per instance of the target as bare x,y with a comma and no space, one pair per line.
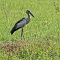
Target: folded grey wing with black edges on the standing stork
21,23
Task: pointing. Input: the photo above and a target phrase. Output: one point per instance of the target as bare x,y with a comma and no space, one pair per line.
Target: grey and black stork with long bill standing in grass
22,22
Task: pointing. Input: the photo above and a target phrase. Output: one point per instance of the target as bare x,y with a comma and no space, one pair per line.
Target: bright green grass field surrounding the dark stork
42,33
